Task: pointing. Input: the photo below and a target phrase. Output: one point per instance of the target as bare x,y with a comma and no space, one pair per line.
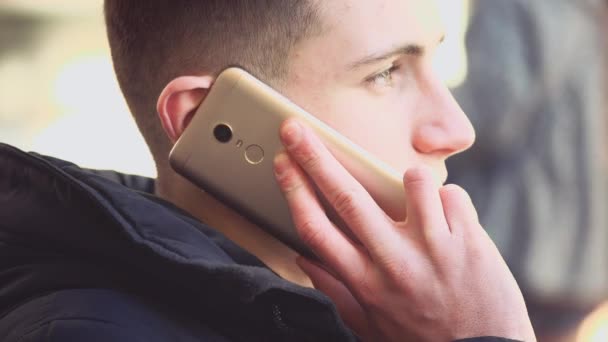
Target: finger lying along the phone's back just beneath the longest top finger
312,224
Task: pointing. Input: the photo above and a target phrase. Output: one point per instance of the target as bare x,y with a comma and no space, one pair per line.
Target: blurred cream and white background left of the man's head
59,95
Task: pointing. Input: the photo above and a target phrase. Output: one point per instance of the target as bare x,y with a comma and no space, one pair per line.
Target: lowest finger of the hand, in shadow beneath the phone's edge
349,309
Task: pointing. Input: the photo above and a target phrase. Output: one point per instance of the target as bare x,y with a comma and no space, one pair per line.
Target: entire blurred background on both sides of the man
529,74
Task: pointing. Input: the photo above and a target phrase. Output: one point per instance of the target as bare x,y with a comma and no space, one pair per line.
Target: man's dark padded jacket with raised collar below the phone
94,256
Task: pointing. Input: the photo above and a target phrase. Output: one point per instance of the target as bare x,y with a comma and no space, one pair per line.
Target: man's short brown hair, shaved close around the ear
155,41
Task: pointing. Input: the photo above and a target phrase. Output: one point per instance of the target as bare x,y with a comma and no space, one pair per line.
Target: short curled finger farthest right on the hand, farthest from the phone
458,208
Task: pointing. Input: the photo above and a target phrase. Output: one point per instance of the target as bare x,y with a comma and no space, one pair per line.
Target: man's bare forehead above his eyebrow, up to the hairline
354,29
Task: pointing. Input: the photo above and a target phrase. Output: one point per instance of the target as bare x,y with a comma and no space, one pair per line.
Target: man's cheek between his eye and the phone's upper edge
382,125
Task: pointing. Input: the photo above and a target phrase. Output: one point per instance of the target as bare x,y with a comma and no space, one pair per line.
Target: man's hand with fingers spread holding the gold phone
437,276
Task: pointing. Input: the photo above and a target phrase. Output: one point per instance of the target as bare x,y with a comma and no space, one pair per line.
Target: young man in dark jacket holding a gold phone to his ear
92,260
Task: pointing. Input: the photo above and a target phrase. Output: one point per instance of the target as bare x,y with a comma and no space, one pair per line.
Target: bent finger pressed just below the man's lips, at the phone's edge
424,207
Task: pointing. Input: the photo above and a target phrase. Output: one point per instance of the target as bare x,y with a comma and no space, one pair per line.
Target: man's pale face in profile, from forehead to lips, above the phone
370,76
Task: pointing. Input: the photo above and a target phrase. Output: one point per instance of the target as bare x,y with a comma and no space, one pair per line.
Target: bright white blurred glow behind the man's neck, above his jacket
97,130
